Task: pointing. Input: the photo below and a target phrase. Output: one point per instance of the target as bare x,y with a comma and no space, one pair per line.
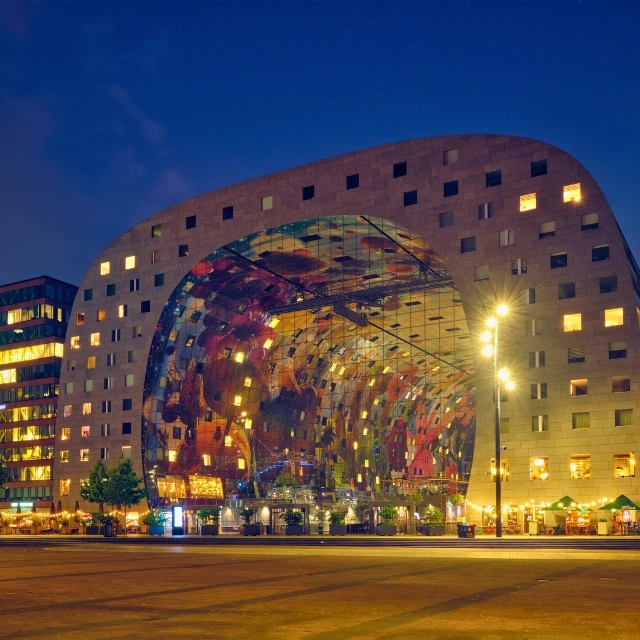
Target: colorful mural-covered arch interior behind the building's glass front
327,353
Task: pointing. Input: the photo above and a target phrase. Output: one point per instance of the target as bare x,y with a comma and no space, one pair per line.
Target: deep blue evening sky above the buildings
111,112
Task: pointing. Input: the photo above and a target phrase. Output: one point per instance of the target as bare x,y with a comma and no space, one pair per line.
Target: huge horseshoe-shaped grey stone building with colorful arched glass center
314,337
